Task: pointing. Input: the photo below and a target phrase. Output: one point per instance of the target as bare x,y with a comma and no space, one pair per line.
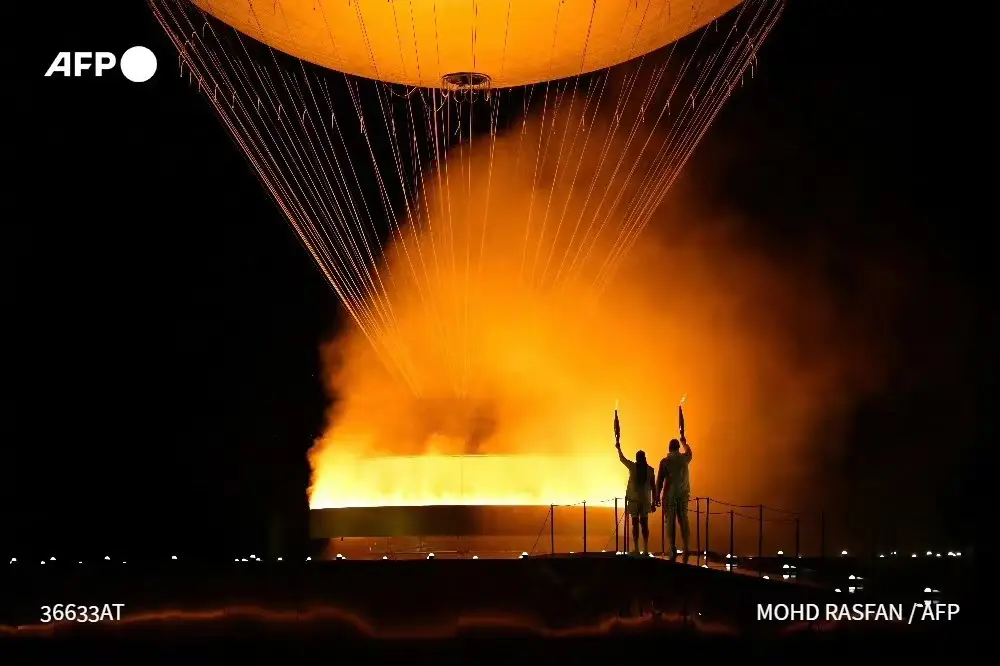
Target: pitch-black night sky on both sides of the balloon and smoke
162,322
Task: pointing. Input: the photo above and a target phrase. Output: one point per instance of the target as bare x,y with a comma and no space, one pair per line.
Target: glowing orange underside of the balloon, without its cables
514,42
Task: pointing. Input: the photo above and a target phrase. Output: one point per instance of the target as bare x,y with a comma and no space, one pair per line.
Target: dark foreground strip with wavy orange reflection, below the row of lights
454,607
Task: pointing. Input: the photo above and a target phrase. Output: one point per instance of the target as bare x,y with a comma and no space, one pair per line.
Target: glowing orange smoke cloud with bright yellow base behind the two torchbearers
514,361
